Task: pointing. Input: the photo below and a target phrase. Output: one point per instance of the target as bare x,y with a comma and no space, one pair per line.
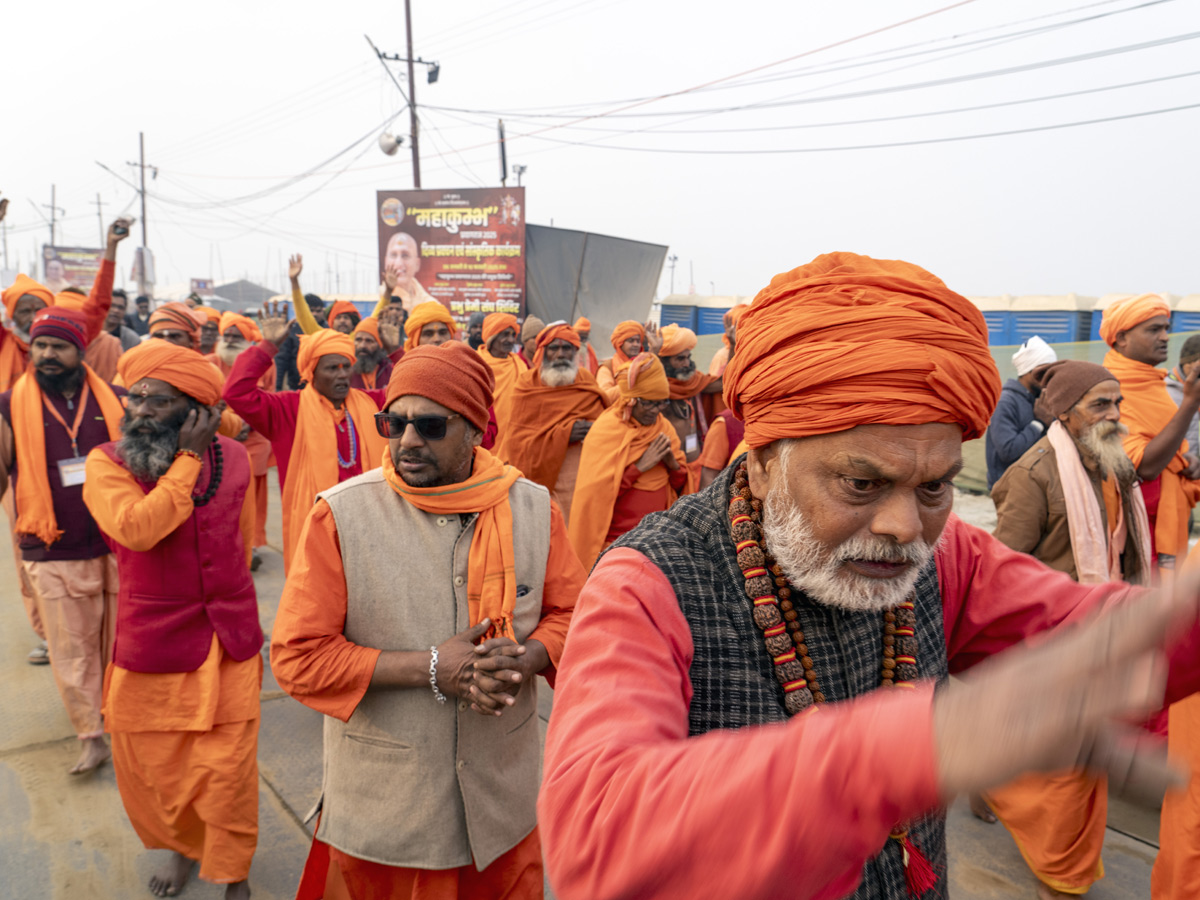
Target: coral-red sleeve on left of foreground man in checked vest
819,805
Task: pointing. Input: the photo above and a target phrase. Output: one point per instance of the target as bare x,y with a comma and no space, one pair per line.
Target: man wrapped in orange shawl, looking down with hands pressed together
632,464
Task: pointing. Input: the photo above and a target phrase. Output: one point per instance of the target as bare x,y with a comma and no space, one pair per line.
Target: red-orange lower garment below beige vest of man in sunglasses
334,875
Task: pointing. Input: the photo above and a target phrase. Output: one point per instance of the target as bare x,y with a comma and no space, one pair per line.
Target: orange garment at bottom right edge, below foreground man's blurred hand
1177,873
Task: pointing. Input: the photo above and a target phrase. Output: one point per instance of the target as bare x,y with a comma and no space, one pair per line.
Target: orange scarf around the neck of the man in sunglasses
491,563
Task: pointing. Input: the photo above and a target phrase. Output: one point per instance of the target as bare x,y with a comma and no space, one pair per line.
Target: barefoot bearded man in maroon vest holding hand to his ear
175,502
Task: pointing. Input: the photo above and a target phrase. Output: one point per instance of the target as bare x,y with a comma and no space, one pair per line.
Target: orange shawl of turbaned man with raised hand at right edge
1147,411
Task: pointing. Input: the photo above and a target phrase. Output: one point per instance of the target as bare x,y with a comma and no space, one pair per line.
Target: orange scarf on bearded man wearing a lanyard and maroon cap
35,506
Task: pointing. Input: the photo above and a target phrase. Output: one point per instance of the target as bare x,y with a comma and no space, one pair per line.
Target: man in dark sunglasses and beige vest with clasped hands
481,584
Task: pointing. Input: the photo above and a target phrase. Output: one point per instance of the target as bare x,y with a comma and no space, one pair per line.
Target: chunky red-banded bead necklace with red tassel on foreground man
776,616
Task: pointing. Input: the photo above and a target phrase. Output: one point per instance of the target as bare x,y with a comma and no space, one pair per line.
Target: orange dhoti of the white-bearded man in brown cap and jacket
1058,823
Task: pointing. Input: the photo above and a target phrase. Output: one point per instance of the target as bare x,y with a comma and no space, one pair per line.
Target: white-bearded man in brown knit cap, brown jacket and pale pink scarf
1072,502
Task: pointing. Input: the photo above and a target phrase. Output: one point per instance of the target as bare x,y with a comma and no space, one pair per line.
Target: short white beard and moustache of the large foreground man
821,573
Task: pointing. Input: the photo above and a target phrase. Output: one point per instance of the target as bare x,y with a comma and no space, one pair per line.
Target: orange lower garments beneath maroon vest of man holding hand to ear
185,752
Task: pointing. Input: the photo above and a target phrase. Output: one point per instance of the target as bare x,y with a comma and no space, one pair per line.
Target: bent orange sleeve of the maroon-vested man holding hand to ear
129,517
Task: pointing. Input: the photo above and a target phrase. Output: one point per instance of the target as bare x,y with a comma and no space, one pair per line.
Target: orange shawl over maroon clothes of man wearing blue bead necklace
314,464
